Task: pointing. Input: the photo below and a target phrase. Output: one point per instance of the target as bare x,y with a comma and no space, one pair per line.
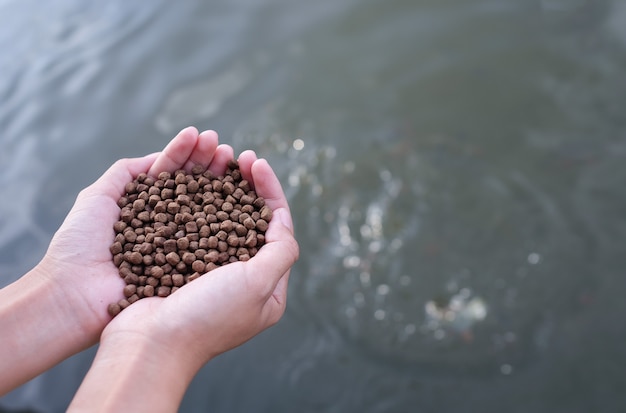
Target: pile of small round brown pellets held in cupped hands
176,227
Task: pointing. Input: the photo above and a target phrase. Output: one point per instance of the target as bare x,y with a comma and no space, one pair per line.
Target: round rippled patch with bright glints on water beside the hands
457,271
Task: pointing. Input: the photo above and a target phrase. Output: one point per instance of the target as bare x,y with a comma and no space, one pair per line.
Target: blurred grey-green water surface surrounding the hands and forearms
455,168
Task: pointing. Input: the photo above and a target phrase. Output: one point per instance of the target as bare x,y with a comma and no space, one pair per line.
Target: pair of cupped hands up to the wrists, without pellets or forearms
213,314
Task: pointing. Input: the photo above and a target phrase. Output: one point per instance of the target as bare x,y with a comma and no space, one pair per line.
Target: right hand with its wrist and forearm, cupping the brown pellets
149,352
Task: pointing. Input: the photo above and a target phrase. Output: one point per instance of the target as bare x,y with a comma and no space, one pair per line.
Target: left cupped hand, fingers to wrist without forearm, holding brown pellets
78,261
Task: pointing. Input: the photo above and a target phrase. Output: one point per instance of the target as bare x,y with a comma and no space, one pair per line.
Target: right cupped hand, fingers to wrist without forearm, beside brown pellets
226,307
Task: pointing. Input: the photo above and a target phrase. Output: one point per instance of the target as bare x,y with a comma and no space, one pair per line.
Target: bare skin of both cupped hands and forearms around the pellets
60,307
